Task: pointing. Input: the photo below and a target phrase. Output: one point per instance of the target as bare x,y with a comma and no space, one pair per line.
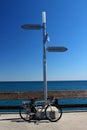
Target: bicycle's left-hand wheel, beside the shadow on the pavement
26,114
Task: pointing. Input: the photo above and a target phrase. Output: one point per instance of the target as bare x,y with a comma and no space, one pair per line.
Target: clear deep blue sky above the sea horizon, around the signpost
21,51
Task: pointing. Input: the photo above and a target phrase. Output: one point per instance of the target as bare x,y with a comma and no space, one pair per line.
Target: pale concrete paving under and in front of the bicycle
69,121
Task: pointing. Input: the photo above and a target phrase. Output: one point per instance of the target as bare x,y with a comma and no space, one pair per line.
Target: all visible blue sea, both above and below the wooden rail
38,85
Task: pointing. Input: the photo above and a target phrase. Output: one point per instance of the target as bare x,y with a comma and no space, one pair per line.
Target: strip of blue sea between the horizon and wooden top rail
38,85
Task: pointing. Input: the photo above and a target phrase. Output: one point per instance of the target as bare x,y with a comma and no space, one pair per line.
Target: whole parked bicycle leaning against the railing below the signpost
40,110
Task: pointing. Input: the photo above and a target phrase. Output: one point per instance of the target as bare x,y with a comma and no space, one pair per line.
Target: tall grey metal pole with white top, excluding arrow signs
44,55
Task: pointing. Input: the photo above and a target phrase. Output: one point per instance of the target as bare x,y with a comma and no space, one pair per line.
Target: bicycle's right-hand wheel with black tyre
53,113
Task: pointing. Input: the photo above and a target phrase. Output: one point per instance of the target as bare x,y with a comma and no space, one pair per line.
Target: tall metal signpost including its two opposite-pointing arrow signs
49,49
